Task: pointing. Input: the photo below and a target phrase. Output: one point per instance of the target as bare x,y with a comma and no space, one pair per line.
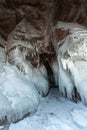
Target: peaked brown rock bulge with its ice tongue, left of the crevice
21,48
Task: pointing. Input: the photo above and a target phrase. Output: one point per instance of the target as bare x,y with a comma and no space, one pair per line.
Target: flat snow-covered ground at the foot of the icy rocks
55,113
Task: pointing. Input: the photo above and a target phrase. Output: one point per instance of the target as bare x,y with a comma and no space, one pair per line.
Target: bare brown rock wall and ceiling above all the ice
33,22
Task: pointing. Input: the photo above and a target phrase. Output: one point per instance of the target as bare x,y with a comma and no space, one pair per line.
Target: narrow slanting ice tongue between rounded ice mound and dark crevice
34,74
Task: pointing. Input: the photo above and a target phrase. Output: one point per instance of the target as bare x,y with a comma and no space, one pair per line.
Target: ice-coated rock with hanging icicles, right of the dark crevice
72,60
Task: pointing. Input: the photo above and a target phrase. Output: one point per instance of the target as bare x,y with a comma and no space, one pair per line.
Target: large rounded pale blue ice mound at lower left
18,96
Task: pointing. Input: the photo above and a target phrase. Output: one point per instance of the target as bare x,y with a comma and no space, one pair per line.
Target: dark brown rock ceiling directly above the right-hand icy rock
71,11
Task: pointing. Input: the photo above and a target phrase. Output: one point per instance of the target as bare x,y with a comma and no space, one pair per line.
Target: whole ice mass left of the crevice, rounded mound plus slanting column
20,92
